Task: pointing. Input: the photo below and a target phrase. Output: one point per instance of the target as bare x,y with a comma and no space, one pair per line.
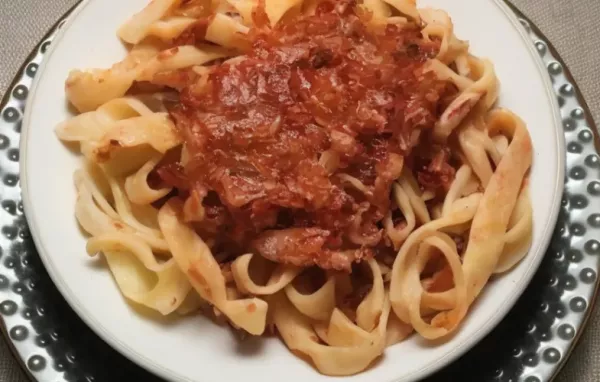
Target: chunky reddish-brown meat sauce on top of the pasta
256,127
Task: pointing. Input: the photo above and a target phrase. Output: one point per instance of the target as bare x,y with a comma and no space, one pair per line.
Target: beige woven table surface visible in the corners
571,25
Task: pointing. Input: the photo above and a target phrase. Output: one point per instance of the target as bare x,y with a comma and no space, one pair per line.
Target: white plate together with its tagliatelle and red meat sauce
304,188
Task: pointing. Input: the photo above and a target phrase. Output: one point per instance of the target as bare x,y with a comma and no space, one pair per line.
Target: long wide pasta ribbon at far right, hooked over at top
487,238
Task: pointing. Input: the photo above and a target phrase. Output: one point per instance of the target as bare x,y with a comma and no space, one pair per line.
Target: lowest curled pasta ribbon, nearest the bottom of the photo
356,350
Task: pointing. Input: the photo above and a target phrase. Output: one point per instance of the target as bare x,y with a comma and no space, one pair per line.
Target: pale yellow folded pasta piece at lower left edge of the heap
134,268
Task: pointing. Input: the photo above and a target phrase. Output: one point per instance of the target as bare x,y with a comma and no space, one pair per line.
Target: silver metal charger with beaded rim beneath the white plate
531,344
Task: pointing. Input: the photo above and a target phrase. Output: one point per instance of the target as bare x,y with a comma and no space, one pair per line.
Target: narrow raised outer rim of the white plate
130,353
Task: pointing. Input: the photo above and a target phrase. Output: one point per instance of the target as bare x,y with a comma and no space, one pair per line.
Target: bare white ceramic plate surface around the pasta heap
194,349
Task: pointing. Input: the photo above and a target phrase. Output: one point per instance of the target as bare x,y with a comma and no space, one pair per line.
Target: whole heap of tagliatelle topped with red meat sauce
334,171
